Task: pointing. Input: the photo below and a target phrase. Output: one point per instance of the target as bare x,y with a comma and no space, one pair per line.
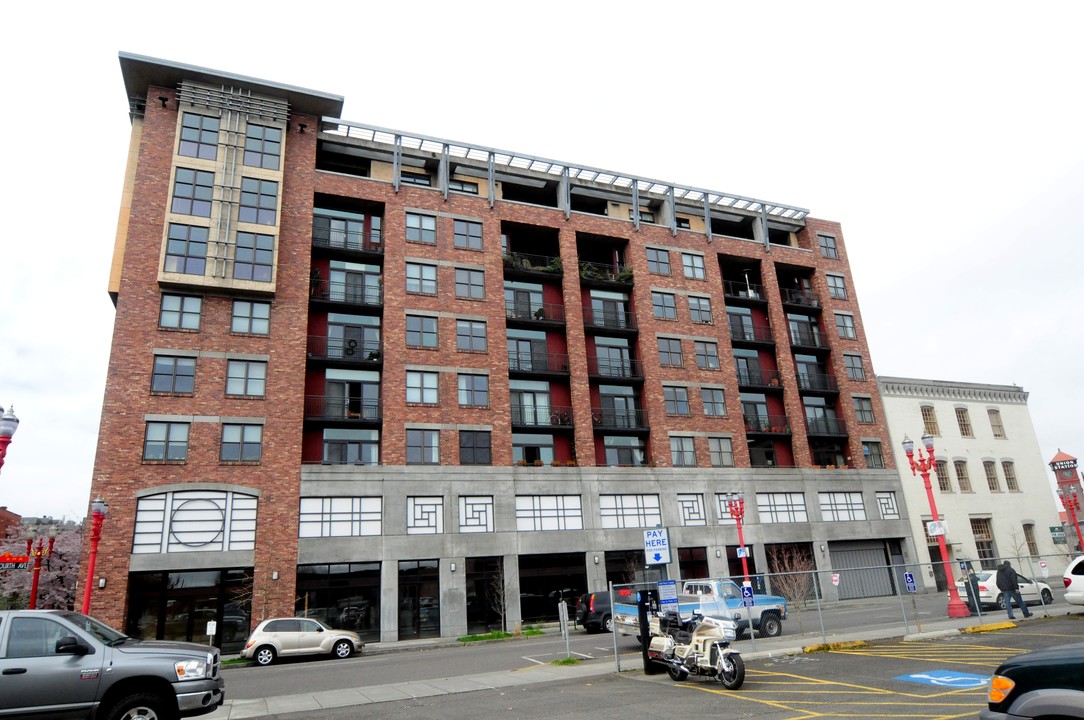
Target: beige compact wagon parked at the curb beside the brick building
298,636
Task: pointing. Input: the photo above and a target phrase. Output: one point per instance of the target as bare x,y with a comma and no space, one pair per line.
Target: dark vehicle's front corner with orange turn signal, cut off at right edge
1046,684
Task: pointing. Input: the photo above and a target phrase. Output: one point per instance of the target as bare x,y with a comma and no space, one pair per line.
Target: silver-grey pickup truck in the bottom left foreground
56,664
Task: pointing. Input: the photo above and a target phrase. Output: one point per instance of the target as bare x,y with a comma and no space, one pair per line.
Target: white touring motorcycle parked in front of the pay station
700,647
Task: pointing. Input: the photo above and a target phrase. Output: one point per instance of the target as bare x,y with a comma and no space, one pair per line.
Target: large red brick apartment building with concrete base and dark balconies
390,381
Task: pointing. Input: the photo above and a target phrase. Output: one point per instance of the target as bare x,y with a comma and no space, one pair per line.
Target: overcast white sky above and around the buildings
946,137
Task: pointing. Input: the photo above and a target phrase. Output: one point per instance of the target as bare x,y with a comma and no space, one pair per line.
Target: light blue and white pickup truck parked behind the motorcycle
720,599
